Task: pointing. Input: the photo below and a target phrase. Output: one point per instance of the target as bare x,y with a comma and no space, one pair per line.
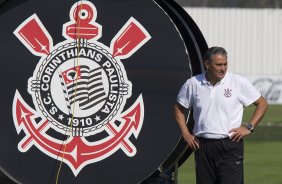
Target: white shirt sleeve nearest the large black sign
184,96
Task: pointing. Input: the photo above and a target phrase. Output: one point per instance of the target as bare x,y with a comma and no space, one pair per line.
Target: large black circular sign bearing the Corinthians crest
88,88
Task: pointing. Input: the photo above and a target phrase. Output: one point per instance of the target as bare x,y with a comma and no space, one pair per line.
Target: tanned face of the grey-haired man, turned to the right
216,67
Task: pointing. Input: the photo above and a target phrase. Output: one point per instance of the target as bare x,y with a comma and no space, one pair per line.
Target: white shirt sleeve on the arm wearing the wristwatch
249,94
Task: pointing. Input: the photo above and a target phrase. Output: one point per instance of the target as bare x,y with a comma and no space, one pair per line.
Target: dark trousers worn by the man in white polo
219,161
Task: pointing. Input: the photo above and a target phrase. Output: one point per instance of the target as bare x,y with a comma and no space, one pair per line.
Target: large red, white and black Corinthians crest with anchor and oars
79,89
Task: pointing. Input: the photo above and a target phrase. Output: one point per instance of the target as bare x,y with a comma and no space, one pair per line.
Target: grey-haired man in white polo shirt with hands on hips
217,98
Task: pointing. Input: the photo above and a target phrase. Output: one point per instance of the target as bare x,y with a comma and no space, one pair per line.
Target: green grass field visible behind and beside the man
263,152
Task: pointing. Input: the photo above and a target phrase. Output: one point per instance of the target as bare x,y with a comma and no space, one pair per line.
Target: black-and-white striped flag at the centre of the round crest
83,85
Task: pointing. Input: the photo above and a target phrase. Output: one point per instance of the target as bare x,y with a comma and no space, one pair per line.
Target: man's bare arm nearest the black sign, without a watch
180,118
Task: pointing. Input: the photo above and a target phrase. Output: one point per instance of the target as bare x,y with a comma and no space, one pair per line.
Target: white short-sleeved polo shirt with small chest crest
217,109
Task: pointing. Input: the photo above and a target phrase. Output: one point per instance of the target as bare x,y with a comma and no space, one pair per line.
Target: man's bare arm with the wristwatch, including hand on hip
261,107
